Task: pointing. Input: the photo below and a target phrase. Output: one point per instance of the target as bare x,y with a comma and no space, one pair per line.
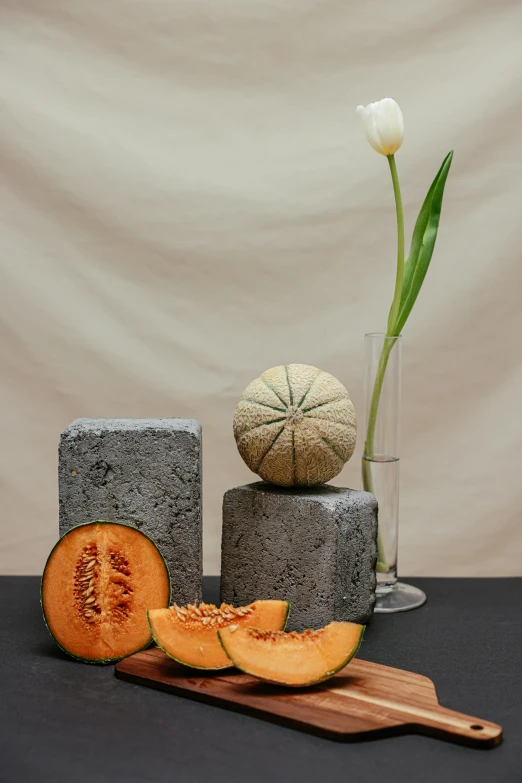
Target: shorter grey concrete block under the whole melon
315,547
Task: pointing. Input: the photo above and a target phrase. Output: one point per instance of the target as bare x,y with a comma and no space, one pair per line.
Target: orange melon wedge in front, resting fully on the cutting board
293,658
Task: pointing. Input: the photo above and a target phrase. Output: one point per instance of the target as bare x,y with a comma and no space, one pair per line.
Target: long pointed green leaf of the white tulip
422,246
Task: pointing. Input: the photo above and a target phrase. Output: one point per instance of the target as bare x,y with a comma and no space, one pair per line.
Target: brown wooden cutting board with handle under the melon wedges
363,701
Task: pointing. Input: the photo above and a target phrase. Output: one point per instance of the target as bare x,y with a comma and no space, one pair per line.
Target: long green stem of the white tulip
382,564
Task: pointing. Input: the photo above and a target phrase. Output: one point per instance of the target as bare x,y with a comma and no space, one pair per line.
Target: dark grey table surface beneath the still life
65,721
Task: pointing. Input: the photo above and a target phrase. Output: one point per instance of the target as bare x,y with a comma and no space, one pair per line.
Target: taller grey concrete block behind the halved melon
143,472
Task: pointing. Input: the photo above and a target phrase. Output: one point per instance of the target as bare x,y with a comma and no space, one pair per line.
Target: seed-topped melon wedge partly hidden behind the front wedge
189,633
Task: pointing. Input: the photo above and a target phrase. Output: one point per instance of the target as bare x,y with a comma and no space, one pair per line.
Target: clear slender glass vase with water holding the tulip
381,465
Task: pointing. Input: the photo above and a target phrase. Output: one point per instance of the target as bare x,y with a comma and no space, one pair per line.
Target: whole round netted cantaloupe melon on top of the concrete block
295,425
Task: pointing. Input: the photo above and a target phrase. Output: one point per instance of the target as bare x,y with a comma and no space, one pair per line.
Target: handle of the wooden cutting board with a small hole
470,730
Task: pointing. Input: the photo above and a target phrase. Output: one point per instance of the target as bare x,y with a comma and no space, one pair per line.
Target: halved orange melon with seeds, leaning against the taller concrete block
97,584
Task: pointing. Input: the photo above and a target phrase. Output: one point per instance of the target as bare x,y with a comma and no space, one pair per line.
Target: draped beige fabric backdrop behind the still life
187,199
